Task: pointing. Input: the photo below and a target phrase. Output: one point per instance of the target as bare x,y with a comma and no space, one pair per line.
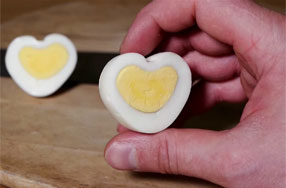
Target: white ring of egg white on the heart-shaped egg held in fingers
134,119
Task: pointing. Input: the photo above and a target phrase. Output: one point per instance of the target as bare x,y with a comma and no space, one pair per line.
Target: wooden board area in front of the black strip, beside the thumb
58,142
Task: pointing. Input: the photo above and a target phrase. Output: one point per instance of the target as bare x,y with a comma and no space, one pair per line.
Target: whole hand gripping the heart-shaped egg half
238,50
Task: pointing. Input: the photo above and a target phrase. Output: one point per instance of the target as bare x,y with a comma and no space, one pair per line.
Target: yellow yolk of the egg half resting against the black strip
43,63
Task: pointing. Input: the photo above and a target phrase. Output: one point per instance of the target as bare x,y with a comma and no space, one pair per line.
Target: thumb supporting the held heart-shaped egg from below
190,152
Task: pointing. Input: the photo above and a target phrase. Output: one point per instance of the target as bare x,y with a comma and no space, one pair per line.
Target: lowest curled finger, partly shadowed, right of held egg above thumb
205,95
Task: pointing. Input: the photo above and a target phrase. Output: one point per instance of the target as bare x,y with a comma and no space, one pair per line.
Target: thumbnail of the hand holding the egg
121,156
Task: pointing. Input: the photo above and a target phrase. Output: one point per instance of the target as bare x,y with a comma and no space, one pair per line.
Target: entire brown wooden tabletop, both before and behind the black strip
58,142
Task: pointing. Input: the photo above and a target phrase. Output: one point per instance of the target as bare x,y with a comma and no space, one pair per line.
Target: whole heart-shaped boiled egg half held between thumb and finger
145,95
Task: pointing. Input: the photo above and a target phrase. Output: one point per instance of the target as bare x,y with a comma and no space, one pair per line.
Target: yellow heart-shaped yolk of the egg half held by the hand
146,91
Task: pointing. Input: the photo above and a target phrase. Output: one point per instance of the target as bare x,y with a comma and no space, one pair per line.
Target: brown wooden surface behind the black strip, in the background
93,25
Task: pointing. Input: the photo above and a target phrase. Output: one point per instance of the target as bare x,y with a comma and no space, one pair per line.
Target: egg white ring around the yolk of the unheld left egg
31,85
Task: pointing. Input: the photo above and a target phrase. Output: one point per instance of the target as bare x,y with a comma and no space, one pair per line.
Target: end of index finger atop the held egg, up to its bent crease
153,21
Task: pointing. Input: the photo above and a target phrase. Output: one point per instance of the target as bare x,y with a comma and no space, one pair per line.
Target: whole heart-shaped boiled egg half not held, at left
41,67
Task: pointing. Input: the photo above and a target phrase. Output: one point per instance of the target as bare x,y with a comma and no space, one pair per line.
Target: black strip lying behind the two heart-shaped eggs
88,69
